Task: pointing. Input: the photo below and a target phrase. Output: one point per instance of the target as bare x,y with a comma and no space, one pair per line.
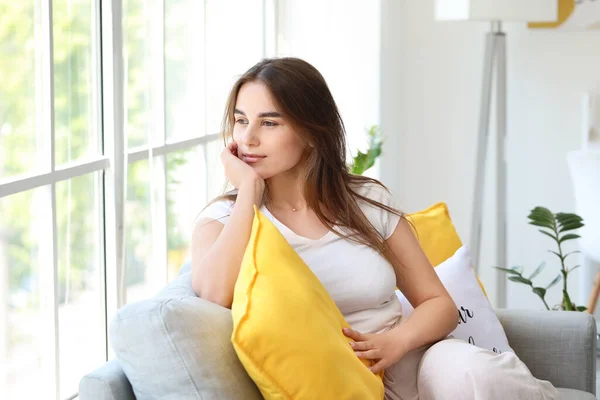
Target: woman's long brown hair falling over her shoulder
331,191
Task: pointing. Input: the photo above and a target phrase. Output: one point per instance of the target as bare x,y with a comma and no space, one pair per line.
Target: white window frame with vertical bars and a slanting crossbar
111,161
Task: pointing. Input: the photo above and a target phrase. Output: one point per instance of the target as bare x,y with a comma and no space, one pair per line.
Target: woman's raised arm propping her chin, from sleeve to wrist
217,249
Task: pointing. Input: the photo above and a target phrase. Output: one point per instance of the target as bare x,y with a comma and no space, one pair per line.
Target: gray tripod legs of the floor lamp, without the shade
495,59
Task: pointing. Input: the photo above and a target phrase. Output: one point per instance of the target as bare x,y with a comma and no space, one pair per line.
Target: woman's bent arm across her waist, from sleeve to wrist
435,314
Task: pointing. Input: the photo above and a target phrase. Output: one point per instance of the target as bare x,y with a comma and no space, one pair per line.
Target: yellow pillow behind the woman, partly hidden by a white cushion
436,234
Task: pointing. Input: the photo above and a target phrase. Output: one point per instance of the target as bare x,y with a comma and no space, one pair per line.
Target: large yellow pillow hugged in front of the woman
287,330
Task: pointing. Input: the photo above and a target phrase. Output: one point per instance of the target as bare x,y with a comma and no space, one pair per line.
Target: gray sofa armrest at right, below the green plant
557,346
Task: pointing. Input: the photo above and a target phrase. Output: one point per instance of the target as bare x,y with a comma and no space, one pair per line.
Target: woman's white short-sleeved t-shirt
361,282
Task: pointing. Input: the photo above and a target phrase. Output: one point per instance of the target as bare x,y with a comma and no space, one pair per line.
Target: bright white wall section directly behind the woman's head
341,39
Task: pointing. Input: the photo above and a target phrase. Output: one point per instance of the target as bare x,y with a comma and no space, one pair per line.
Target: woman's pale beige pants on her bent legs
455,370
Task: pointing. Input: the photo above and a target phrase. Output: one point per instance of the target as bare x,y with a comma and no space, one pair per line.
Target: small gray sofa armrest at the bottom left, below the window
106,383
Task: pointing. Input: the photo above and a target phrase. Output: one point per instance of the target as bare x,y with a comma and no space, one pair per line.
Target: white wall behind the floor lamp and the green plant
430,80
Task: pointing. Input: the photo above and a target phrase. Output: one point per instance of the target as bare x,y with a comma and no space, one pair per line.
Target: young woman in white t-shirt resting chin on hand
286,154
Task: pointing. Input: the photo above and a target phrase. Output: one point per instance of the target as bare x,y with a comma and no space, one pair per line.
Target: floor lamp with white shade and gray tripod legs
496,12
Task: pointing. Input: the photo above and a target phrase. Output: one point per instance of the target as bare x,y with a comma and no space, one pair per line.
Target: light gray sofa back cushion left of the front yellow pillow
178,346
